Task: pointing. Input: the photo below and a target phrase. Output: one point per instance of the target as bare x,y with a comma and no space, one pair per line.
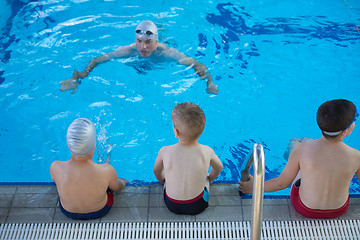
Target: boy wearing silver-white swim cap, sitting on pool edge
85,187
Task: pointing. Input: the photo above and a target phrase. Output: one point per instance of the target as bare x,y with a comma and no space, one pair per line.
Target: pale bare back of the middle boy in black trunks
186,169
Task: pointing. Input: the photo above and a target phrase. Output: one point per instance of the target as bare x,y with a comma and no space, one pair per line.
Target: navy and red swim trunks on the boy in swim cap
93,215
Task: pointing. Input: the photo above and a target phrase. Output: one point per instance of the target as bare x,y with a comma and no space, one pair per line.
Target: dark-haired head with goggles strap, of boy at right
333,117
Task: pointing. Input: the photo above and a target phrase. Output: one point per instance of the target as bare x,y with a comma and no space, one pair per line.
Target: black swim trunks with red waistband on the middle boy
189,207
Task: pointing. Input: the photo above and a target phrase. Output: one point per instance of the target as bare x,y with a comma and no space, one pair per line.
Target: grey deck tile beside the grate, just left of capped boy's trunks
27,215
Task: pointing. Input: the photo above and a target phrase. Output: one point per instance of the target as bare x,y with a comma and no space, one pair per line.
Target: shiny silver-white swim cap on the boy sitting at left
81,137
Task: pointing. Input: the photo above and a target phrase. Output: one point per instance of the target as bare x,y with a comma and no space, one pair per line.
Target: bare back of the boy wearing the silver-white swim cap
81,185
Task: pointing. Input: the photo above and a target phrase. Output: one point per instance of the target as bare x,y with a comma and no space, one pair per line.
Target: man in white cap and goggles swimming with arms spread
146,46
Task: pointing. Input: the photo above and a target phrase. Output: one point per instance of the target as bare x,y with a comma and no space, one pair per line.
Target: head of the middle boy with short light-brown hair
189,120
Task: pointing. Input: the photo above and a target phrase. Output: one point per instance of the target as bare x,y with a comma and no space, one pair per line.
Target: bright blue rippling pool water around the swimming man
274,62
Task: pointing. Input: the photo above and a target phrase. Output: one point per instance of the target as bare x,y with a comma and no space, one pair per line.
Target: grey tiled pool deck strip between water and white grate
39,204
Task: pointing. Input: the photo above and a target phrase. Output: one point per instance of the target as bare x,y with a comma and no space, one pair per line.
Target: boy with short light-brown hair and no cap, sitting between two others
183,167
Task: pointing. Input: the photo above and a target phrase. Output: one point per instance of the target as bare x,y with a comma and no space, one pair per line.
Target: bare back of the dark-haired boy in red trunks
327,169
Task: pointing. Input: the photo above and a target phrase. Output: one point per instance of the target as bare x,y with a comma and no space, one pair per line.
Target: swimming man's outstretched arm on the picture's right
200,69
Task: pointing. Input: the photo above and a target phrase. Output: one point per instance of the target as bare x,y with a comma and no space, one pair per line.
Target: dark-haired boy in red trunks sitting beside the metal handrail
322,168
